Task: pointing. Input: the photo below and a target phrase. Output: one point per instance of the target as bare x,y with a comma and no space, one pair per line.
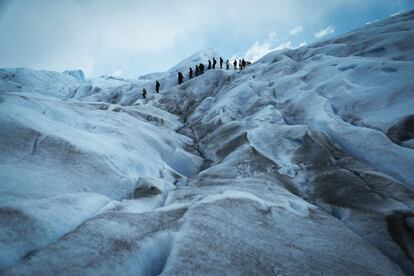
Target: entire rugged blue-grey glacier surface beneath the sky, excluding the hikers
303,163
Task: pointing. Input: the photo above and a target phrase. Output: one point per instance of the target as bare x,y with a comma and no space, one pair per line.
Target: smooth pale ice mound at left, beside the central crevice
61,156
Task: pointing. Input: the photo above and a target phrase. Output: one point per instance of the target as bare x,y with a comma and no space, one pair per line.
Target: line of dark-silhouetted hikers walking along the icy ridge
199,69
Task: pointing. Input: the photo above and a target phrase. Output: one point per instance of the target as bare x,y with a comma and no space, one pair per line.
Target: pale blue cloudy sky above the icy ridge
131,38
